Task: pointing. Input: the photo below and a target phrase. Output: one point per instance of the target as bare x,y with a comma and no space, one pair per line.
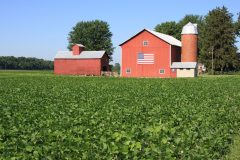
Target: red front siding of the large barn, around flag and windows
156,46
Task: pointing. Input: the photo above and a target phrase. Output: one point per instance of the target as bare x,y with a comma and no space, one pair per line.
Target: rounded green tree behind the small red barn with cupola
94,35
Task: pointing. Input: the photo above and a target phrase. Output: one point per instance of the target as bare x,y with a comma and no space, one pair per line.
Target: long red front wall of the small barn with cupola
78,67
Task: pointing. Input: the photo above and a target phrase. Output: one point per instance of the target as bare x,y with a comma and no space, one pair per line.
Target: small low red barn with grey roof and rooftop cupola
80,62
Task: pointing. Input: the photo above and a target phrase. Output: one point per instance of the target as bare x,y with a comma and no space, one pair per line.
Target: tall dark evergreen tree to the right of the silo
219,35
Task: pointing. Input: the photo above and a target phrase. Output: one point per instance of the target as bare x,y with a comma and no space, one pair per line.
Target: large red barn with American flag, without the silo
150,54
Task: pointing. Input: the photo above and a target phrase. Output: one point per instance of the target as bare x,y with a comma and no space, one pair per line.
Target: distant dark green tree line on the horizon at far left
24,63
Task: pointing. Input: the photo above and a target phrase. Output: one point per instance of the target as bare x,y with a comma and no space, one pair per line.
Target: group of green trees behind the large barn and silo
217,38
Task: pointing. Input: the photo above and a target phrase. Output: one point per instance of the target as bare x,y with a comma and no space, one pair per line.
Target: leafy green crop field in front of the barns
43,116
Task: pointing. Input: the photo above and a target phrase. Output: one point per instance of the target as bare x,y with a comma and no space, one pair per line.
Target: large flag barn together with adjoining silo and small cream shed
153,54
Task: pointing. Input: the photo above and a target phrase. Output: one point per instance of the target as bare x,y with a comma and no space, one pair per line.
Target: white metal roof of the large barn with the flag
167,38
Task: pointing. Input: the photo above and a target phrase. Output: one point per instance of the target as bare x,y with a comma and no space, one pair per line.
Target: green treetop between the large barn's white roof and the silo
169,28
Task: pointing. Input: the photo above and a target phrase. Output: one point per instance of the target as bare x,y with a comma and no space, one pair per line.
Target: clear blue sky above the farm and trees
40,28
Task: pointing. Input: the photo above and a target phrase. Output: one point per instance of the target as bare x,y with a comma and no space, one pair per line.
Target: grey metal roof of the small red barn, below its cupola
83,55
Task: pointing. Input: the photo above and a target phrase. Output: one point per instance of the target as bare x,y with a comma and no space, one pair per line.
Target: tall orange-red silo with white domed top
189,43
